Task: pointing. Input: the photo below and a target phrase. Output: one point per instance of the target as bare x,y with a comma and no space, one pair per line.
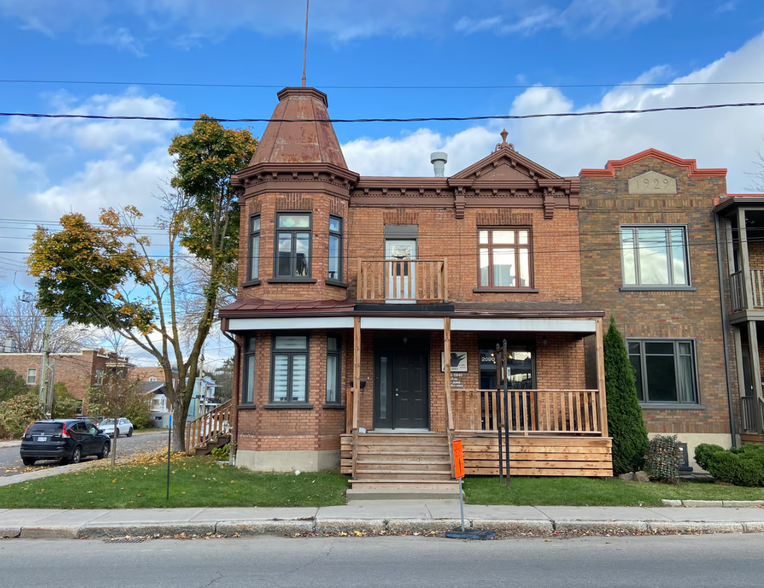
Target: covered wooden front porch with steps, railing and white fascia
555,409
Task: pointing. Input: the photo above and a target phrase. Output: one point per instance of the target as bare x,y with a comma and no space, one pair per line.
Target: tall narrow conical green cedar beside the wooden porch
624,415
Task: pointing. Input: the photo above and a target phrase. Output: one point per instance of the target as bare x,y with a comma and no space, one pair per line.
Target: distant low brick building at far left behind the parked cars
78,371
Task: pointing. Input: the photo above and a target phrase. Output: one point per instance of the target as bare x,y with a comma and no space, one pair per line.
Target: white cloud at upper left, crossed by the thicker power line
110,135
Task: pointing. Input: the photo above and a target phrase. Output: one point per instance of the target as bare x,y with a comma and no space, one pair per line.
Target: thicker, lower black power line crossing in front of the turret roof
389,120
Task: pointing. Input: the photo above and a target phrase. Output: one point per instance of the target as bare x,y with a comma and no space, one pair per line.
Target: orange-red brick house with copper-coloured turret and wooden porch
354,291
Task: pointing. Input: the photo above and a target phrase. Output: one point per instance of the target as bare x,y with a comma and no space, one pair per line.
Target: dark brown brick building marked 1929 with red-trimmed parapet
649,258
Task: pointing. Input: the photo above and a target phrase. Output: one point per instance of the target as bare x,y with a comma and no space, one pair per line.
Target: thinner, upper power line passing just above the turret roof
387,87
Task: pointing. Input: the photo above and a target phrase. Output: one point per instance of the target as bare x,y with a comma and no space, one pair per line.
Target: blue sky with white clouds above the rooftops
50,167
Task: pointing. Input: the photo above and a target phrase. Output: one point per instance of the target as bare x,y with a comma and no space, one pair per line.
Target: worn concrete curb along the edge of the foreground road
302,527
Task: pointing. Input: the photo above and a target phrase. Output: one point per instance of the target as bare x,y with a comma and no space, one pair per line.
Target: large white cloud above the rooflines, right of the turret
716,138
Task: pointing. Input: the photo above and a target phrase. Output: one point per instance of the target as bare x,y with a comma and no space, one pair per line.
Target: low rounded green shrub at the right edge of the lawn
743,466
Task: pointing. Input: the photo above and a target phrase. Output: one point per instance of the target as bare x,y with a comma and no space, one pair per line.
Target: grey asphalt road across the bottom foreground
675,561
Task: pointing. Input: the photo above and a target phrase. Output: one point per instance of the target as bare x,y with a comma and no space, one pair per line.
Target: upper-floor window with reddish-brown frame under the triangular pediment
504,258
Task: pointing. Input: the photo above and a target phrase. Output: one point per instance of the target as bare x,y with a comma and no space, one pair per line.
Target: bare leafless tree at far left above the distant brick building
24,325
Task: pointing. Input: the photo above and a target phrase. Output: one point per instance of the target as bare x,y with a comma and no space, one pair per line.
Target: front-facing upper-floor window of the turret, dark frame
293,231
